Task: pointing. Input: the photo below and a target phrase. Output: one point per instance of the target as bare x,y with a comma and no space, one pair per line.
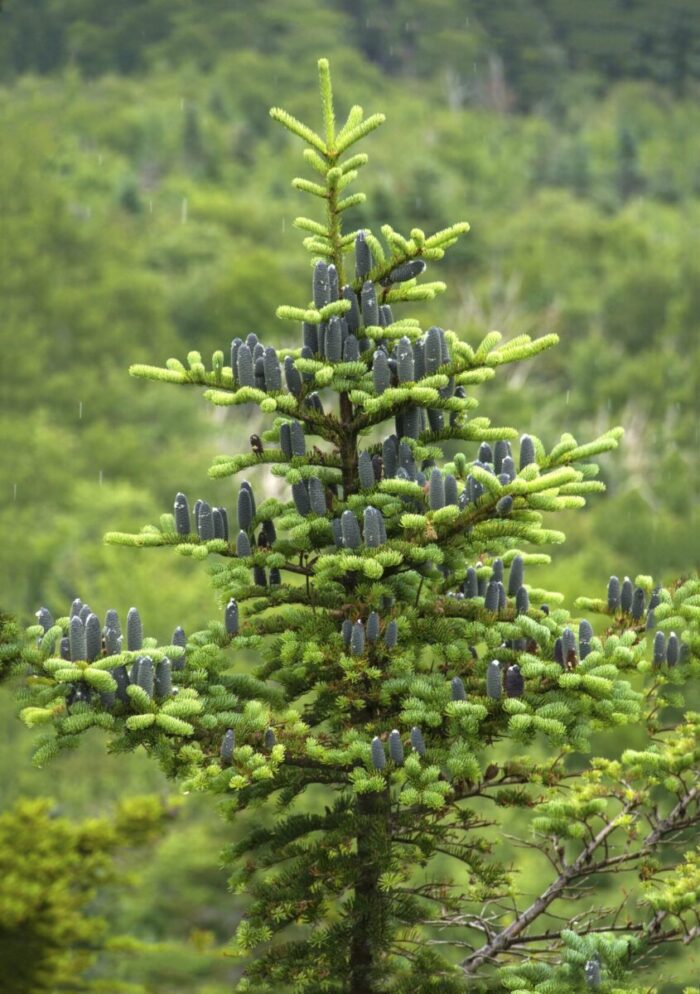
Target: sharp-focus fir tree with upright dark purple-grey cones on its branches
416,701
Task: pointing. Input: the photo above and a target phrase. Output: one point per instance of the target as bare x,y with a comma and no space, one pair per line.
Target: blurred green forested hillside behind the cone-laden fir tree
147,208
